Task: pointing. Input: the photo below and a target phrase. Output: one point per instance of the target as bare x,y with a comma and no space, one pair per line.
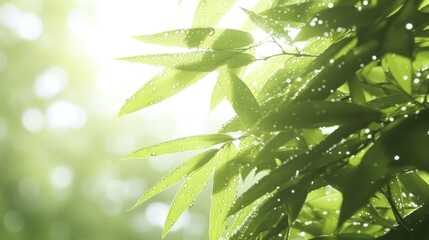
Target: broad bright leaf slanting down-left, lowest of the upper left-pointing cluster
164,85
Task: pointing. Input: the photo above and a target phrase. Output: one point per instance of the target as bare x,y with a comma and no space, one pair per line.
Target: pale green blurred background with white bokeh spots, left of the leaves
60,90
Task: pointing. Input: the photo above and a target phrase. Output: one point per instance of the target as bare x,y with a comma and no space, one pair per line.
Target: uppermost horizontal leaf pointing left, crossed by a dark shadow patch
218,39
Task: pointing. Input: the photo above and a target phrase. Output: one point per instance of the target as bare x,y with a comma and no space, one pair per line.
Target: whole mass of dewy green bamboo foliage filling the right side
336,124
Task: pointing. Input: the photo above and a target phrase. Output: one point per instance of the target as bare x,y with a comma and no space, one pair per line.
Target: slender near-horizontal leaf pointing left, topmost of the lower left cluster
181,145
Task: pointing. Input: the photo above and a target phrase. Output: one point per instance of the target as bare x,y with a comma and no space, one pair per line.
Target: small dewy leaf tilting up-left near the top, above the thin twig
268,25
